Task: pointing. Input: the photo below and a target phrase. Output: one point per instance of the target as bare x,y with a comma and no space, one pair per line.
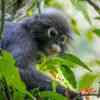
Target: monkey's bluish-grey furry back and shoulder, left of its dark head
18,41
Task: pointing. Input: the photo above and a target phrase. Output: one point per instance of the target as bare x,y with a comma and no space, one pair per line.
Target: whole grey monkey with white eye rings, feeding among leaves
45,33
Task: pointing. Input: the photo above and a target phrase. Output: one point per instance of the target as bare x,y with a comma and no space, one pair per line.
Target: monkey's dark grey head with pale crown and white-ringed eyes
52,31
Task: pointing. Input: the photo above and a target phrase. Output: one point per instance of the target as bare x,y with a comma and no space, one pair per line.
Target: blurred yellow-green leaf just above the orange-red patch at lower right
87,80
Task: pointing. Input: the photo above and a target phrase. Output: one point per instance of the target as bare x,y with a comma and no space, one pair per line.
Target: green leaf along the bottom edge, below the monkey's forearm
52,96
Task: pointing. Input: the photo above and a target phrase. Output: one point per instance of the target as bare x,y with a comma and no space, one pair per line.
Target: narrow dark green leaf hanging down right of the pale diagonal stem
69,75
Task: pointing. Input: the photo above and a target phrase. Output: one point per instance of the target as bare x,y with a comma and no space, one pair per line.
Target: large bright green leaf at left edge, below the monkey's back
10,71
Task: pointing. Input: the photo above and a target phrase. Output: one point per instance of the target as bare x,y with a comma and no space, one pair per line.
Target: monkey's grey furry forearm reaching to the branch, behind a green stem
33,79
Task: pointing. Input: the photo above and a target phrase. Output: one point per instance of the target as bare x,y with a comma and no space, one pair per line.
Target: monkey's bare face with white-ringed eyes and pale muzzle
56,43
